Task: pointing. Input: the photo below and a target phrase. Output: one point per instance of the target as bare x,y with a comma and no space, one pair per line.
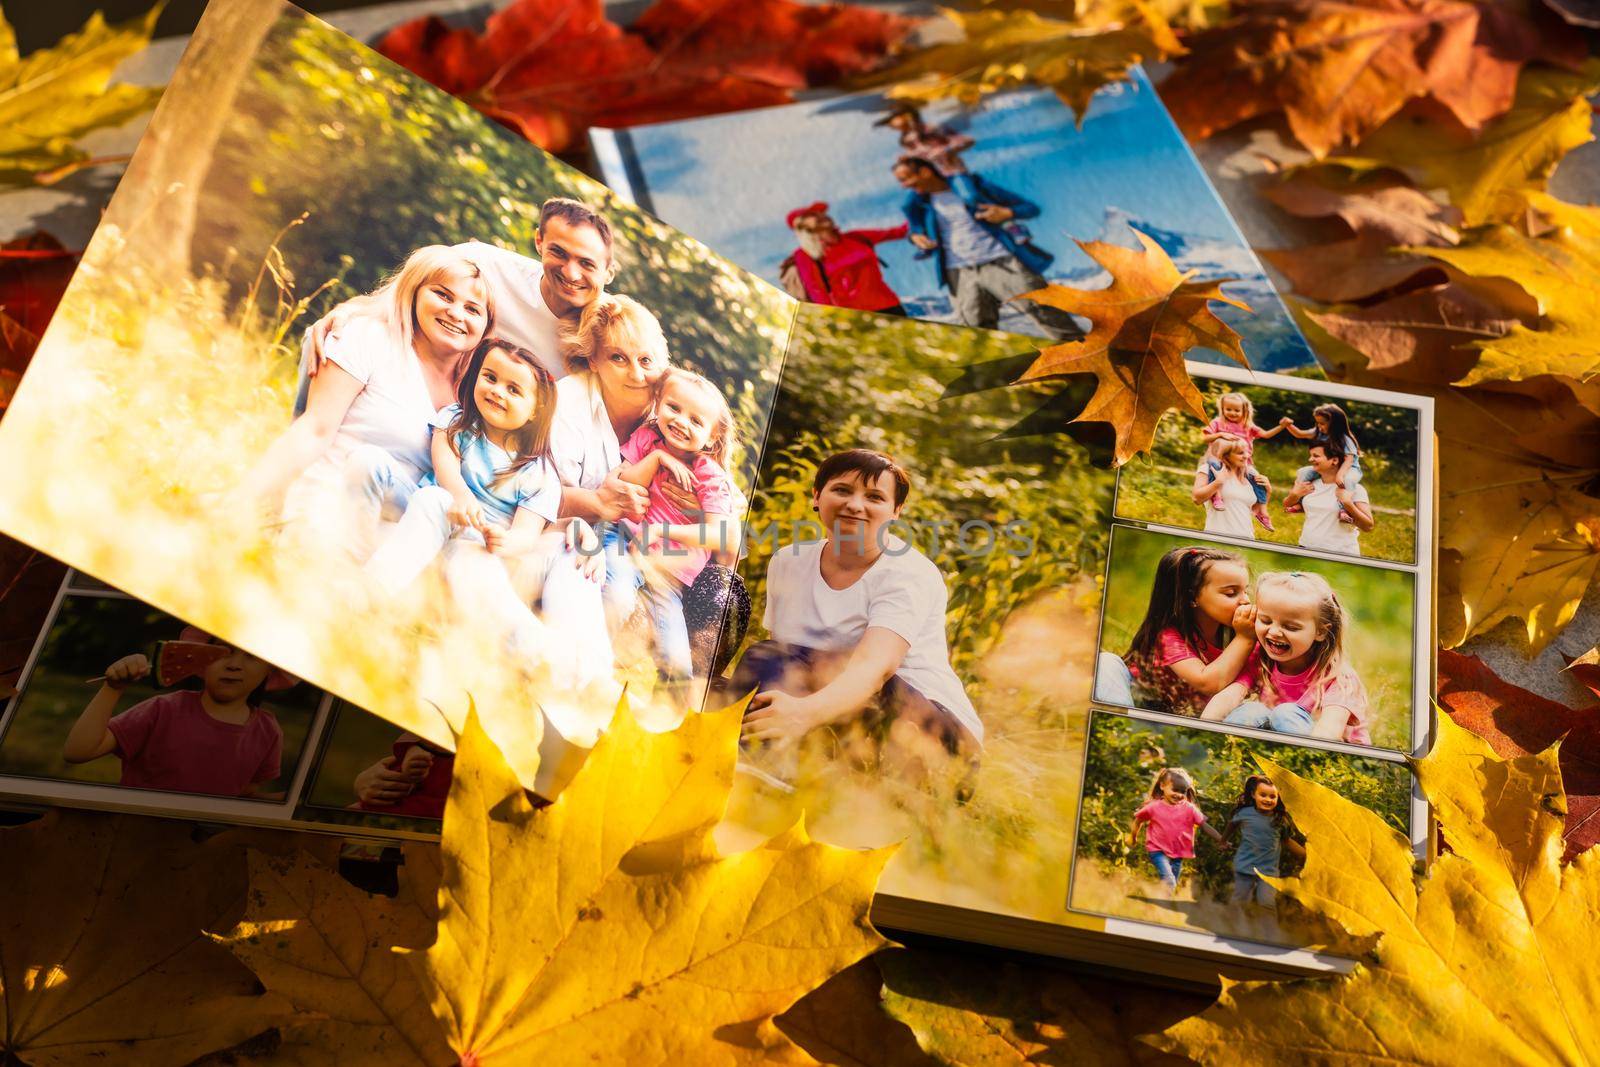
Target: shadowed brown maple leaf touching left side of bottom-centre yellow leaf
330,951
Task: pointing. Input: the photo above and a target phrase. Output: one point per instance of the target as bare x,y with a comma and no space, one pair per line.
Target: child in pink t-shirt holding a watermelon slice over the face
215,740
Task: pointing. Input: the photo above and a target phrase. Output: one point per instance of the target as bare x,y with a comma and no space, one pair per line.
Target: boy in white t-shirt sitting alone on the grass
857,626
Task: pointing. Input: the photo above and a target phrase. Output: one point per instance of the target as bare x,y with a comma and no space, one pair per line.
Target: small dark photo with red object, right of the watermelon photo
374,775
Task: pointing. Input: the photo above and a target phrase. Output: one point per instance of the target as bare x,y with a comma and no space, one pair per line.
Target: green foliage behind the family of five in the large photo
380,164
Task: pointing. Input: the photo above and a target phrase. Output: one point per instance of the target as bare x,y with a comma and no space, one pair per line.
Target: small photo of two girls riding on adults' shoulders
1284,466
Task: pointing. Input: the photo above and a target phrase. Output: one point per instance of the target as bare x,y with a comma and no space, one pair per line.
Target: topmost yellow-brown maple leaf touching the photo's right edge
1490,174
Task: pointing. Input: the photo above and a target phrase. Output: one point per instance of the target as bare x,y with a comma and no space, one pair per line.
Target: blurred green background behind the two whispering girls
1380,604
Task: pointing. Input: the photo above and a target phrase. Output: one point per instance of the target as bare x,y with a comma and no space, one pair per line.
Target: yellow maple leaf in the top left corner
57,95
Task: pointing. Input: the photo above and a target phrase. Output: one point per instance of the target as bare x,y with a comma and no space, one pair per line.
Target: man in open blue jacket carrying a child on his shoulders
975,252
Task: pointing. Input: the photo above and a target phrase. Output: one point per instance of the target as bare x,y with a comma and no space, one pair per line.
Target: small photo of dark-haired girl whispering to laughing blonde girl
1258,639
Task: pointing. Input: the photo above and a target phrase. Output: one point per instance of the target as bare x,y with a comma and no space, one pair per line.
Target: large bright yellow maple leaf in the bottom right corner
1486,961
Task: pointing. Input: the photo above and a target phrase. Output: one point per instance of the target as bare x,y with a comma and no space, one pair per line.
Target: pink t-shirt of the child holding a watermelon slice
172,743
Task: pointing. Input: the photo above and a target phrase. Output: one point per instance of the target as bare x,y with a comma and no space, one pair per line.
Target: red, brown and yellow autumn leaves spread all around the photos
609,929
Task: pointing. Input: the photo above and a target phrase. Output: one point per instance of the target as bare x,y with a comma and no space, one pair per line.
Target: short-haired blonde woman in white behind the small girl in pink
617,358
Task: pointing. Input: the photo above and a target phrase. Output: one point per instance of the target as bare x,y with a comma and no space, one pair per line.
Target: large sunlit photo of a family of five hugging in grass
420,412
